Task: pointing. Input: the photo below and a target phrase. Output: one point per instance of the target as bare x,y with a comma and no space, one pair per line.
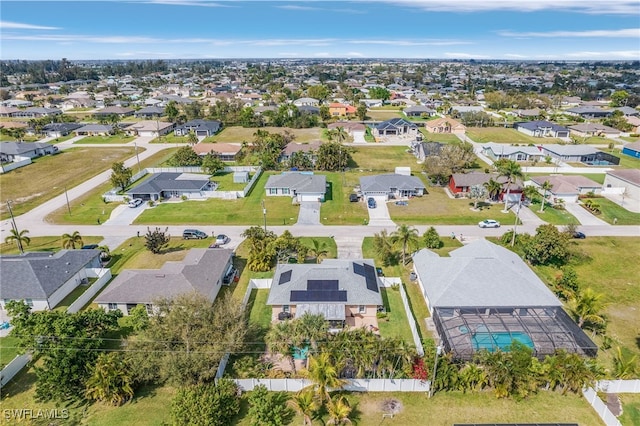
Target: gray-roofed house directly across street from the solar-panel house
303,186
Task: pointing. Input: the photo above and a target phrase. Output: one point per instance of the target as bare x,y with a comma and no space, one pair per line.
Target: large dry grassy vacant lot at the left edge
48,176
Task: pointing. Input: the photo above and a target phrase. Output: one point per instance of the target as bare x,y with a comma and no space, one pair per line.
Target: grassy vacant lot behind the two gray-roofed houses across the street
382,158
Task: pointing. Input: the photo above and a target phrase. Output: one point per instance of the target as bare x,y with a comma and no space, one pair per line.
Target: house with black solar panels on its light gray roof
345,292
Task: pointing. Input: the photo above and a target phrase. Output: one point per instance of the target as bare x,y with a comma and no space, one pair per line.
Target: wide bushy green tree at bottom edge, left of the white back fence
206,404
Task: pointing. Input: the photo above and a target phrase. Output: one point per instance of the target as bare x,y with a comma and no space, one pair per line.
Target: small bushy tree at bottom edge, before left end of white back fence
268,408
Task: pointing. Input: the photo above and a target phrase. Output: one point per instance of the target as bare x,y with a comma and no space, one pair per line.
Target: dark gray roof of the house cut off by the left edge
38,275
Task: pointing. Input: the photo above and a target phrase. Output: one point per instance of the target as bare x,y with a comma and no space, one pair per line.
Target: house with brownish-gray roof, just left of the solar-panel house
203,271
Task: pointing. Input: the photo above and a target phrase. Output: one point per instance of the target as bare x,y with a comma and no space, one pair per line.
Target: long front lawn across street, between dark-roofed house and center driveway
243,211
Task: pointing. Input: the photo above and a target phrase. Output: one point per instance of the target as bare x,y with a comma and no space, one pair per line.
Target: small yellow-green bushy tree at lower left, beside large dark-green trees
110,380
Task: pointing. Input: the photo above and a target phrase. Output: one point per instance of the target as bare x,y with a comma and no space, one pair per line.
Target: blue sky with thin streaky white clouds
437,29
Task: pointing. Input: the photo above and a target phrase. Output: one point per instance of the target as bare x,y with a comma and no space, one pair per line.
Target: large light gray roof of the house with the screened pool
480,274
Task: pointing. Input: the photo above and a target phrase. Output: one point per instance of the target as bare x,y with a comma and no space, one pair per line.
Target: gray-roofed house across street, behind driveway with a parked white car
392,185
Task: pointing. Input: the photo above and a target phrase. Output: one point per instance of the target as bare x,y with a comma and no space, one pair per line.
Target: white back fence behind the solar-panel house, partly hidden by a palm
356,385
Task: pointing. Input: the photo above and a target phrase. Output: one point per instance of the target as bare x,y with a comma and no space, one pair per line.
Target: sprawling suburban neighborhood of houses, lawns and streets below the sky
320,241
